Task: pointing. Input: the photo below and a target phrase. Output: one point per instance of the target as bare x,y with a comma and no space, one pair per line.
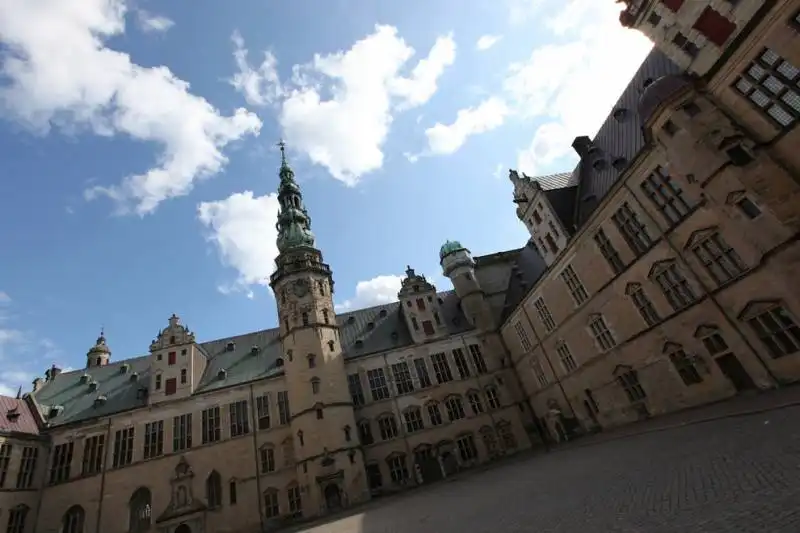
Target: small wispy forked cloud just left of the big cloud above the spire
260,85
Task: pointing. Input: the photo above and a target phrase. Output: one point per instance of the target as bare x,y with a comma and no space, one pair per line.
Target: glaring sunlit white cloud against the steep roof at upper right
571,87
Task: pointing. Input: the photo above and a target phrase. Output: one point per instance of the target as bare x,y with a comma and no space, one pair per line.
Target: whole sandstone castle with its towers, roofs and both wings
658,276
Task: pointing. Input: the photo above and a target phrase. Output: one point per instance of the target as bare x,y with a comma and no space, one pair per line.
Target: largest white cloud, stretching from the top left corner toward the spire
60,73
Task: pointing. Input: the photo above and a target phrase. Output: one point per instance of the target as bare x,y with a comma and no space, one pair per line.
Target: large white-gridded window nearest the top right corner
771,84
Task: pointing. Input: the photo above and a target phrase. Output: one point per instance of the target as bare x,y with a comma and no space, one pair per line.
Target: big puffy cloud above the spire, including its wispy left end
338,108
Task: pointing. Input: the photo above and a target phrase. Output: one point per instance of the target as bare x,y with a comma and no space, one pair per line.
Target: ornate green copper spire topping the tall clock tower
294,224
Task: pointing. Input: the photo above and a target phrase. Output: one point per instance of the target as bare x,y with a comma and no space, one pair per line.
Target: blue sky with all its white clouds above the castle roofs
138,159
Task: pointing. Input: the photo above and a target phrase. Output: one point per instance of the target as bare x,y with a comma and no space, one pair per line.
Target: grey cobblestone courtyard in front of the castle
731,475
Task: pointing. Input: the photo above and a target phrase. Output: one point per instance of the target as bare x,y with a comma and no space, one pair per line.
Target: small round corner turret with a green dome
458,265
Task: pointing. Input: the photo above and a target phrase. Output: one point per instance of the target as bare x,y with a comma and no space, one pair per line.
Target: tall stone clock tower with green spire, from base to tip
329,461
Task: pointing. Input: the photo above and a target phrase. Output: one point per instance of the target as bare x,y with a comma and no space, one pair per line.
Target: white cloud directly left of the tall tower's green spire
242,228
